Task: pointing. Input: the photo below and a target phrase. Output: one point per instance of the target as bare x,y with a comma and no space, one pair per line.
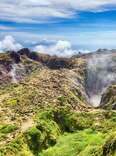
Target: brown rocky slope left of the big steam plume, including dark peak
30,84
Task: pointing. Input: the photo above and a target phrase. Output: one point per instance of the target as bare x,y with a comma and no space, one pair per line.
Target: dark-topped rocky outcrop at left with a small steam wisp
16,65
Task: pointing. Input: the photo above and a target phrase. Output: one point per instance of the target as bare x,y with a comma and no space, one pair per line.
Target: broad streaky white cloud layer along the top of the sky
44,10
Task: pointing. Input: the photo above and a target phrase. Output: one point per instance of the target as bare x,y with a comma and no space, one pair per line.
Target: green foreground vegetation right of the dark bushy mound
77,139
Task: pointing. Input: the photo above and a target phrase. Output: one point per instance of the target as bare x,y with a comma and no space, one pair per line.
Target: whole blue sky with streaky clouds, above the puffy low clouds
86,25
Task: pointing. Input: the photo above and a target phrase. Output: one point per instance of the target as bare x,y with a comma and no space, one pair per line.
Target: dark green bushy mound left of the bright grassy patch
44,134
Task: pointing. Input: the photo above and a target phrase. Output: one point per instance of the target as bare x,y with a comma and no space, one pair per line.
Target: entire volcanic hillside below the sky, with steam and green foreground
52,106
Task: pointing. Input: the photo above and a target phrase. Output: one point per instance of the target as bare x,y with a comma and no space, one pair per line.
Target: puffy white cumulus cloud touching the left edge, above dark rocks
9,43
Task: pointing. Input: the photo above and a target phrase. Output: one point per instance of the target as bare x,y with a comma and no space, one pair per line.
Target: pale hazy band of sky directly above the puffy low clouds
90,40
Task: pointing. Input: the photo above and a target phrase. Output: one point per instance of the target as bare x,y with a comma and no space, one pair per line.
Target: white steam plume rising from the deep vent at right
101,73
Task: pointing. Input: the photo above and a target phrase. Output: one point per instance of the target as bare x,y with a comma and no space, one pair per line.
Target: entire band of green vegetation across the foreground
62,132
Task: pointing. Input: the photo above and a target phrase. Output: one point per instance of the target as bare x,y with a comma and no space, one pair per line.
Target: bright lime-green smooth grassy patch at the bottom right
86,142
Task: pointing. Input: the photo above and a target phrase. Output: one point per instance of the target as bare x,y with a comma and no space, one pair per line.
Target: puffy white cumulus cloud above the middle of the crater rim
60,48
